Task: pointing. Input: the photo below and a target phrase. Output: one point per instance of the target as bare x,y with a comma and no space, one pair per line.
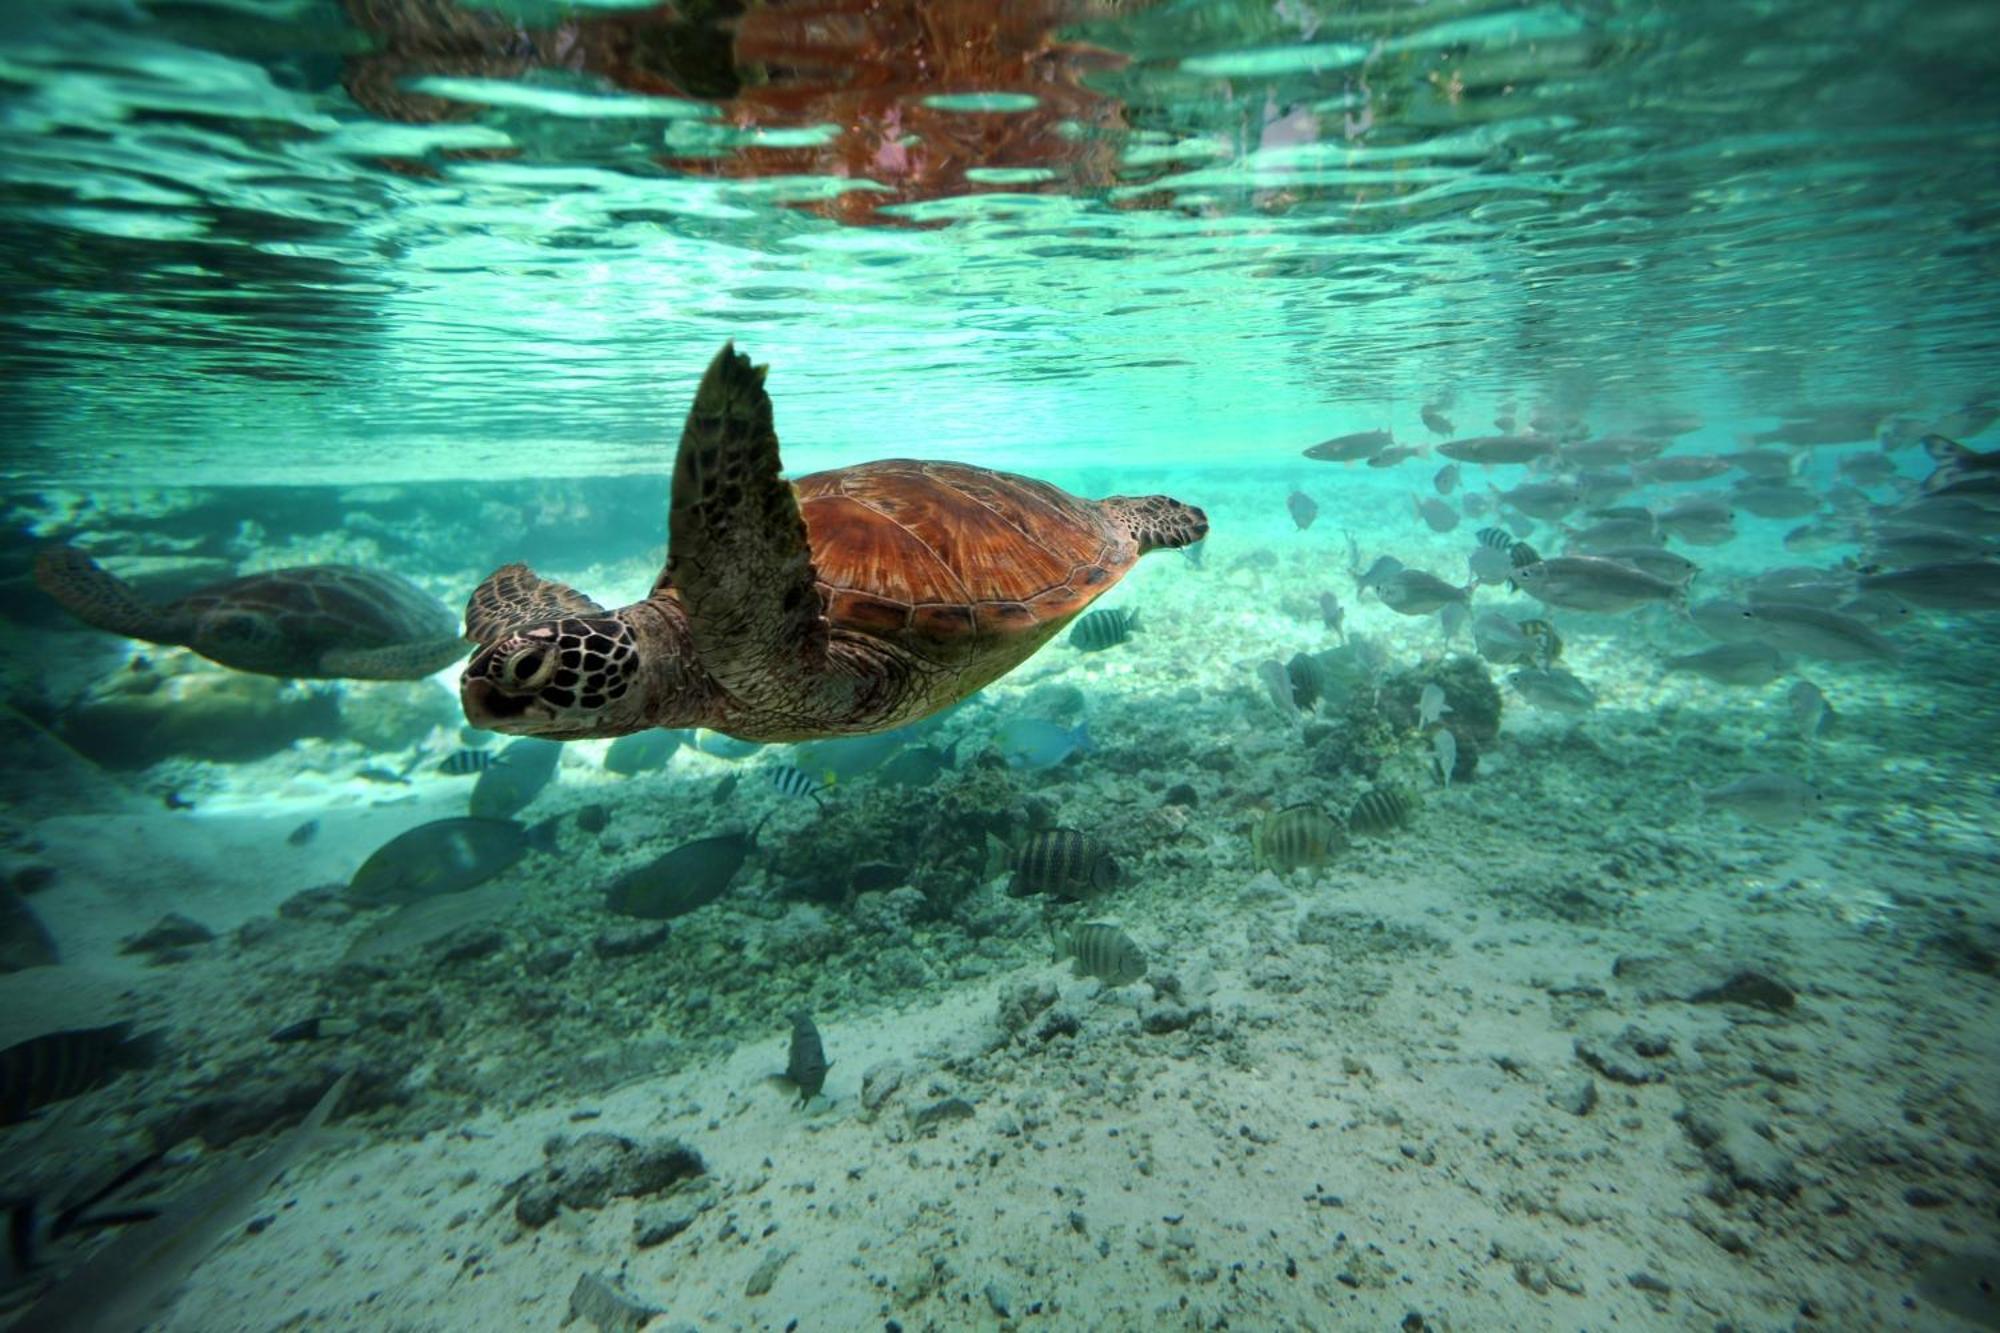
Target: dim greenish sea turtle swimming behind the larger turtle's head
317,621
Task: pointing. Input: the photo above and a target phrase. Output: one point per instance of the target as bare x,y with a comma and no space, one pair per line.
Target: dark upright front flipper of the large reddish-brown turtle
737,547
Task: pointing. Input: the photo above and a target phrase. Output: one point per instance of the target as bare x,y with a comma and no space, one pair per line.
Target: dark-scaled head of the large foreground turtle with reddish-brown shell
563,680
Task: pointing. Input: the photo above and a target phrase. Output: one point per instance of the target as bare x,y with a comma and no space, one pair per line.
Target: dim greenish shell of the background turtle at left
283,621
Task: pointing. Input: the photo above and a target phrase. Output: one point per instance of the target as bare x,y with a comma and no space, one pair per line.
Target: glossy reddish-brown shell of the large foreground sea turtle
957,563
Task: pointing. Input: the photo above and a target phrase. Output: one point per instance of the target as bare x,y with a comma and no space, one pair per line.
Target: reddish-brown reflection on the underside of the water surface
867,73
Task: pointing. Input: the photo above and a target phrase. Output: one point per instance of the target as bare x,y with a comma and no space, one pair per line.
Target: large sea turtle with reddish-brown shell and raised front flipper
849,601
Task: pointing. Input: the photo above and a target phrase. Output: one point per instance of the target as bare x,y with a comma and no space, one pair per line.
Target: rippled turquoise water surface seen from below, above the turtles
253,241
